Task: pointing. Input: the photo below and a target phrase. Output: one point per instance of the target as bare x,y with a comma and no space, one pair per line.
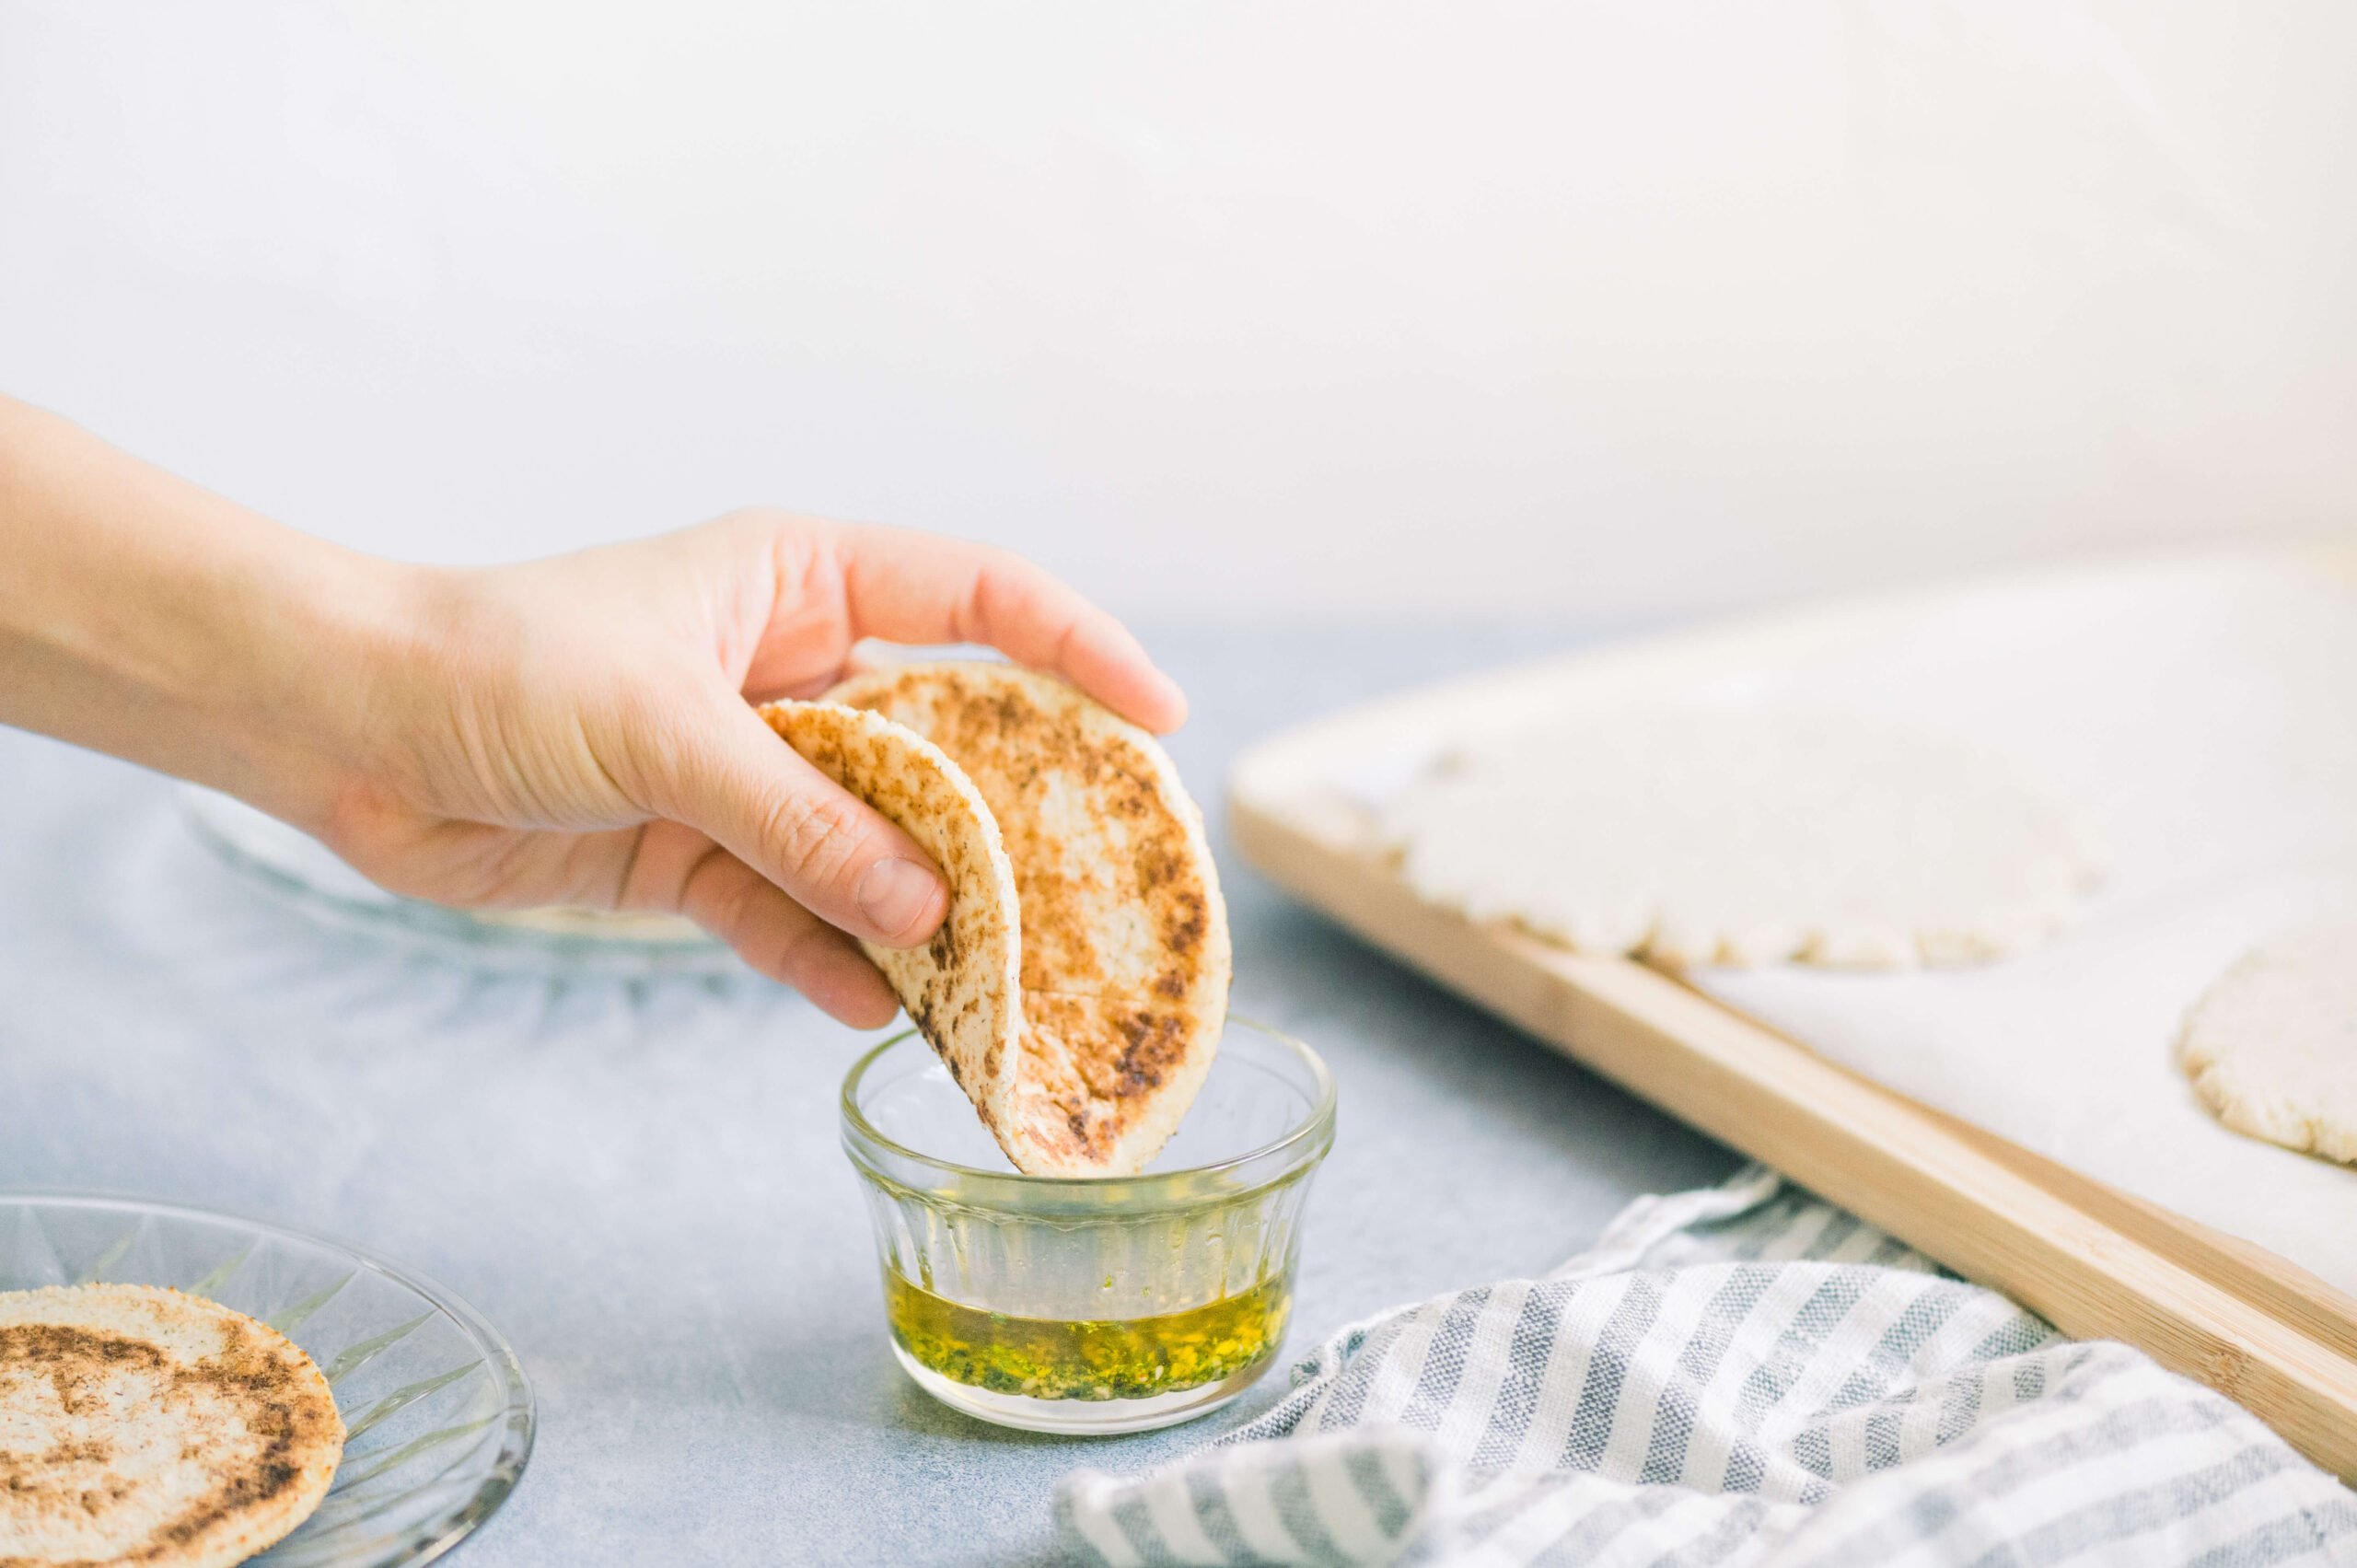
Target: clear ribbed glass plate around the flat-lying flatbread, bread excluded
437,1414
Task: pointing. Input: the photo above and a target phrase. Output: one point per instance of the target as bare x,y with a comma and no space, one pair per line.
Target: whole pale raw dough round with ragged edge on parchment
1738,836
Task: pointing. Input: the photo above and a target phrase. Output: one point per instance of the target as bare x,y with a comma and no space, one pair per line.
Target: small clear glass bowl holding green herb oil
1090,1305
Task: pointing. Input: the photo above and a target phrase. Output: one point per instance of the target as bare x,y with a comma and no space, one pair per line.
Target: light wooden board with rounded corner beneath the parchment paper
2089,1258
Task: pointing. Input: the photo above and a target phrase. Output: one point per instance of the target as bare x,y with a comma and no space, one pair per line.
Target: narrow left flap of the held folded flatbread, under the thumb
963,987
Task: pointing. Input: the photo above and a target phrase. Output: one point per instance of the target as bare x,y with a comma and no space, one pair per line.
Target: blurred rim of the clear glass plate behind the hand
305,874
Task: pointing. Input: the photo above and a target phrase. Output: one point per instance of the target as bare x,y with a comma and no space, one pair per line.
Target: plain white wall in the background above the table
1352,308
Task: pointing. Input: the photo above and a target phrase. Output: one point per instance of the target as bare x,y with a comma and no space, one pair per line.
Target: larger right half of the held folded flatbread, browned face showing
1125,935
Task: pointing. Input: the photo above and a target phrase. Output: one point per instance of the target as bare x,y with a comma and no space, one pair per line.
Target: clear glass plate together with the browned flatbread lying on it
435,1414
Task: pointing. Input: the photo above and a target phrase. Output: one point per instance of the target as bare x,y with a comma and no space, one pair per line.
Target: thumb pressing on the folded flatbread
744,786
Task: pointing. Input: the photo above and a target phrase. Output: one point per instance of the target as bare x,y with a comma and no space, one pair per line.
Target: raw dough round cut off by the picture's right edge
2273,1043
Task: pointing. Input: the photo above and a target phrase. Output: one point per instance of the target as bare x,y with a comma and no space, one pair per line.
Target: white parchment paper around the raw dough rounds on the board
2207,716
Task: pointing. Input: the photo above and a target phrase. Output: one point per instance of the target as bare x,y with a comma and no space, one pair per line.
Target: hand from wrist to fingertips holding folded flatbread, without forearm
581,732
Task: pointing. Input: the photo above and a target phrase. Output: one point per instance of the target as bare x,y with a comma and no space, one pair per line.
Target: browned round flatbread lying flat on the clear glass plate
157,1428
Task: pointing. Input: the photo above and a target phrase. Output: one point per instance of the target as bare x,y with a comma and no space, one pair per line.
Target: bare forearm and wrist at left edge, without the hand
150,619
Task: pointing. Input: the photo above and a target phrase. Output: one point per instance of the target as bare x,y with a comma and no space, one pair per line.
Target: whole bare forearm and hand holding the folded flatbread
562,732
